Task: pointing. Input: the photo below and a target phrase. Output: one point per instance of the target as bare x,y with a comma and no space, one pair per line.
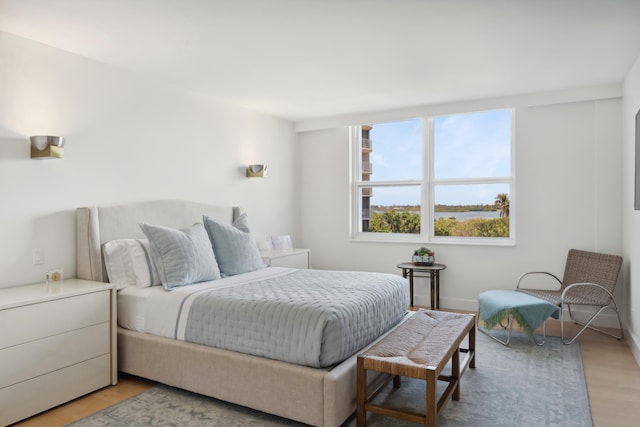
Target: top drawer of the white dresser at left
34,321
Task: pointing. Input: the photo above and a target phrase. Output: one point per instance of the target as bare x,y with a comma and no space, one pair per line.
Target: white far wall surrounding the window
568,195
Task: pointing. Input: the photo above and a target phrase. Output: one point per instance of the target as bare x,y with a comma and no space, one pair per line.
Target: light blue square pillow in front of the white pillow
181,257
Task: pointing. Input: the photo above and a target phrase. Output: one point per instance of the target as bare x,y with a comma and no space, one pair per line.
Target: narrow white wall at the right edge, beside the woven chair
631,217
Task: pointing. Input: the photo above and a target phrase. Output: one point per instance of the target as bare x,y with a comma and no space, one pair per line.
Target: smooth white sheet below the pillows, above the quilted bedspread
157,311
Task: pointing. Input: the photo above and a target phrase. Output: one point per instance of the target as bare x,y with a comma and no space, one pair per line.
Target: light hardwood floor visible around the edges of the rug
612,375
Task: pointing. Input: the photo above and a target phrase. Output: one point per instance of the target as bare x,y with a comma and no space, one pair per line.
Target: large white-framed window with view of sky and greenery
441,179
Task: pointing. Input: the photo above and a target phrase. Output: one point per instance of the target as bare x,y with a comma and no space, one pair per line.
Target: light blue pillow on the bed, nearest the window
235,248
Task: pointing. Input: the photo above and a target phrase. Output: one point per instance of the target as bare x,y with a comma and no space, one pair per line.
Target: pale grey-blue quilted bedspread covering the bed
315,318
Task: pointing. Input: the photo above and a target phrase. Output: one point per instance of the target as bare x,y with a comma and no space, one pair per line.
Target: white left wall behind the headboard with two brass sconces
128,139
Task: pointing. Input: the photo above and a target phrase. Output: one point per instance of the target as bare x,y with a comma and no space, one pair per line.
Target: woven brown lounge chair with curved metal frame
589,280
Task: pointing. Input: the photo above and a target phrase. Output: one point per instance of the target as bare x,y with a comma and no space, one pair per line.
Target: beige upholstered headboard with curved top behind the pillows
98,225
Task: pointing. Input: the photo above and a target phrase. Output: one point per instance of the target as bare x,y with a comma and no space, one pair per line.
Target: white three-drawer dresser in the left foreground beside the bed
57,343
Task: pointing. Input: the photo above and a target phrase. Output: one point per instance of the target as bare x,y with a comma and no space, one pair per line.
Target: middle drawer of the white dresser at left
26,361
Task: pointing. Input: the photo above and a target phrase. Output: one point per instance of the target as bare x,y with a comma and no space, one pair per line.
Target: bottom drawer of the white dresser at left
46,391
